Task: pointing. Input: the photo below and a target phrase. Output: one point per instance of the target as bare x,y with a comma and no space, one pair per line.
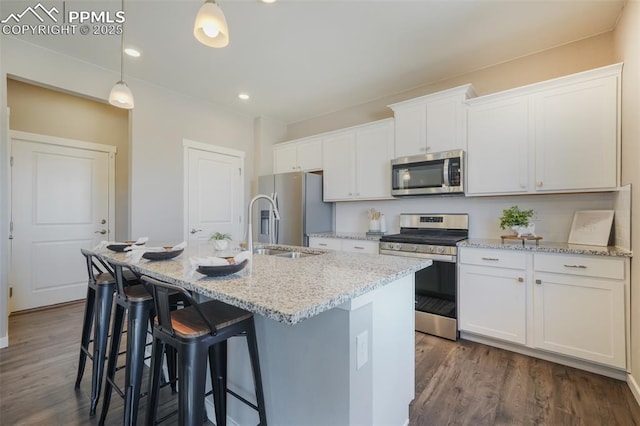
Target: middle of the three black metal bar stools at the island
136,302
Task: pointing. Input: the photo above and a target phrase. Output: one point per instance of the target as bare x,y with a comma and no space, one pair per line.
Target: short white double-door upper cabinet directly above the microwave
431,123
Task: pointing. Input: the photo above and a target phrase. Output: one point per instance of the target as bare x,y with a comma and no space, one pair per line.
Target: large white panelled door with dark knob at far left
61,201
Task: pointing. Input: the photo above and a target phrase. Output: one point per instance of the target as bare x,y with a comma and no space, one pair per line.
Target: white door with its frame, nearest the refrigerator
214,182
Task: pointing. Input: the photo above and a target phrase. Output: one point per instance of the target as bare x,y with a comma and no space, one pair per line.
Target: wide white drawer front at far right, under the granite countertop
605,267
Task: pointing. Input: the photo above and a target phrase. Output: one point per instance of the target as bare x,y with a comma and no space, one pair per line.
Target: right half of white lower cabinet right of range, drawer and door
579,307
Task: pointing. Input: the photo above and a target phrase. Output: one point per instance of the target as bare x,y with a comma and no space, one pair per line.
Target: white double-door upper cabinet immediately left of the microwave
357,162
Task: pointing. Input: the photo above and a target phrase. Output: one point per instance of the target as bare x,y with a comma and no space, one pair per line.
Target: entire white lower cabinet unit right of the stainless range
576,305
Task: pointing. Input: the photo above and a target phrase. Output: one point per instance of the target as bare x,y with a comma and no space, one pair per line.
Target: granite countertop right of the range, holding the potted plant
545,247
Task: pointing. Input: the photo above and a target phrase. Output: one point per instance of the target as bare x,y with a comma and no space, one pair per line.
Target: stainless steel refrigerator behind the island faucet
298,196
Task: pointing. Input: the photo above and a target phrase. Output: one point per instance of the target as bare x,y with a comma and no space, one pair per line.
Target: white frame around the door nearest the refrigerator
188,145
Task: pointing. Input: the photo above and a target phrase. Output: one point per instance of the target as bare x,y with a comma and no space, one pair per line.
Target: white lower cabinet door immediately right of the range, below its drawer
492,302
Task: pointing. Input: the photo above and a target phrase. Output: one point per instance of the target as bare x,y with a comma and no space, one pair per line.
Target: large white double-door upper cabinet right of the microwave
562,135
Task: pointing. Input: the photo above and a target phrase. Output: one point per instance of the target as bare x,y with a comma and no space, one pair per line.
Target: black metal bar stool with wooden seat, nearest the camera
198,332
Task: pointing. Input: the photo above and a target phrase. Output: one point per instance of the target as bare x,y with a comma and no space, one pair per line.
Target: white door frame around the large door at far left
110,150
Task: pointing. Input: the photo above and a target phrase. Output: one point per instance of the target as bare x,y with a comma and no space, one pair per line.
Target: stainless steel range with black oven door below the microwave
432,236
